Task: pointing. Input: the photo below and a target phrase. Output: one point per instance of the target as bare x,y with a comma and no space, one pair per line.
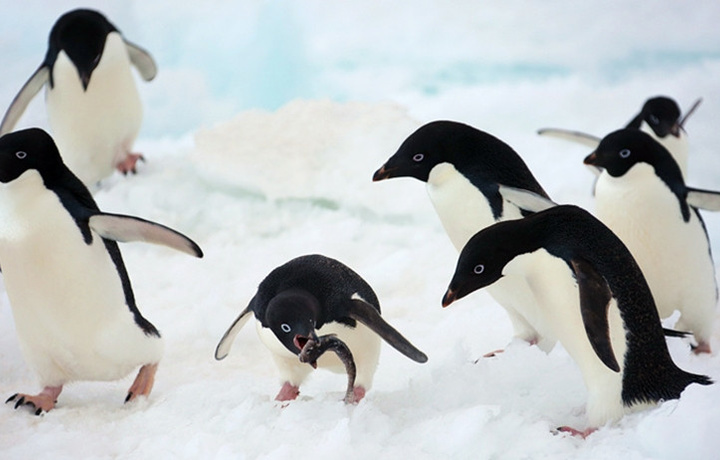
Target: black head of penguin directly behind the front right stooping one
428,146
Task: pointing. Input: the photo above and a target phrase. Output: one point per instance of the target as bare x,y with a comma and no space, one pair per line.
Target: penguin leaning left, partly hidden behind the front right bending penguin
465,169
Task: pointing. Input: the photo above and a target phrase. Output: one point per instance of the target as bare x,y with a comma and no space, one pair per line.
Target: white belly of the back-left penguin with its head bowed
94,129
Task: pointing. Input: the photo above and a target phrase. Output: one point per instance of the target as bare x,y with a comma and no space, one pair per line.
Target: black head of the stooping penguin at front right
481,262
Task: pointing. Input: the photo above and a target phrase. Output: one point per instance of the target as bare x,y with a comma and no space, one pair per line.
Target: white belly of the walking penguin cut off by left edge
66,297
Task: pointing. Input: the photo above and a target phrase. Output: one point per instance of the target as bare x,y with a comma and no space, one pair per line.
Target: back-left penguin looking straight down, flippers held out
93,106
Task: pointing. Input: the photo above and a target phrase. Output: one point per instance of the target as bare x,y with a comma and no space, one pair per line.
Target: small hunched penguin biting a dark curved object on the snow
315,295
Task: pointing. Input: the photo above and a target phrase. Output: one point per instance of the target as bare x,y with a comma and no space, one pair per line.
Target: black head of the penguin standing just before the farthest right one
621,150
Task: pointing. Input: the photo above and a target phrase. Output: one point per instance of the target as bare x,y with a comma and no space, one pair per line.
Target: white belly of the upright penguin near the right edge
672,254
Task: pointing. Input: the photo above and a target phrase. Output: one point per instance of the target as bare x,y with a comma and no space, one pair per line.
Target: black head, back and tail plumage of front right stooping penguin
572,234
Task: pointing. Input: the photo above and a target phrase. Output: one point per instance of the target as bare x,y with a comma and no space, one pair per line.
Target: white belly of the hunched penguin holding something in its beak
363,343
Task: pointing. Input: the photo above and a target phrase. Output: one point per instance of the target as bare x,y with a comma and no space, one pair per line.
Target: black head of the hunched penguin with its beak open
292,316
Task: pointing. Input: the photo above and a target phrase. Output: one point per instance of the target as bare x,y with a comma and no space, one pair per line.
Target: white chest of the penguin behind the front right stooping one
461,206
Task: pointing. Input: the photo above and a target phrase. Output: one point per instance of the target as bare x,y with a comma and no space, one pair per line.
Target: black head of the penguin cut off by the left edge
29,149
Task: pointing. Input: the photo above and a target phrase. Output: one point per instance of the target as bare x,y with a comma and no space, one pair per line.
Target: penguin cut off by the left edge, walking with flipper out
71,298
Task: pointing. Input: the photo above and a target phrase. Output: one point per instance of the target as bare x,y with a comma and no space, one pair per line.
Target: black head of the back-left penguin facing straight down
81,34
